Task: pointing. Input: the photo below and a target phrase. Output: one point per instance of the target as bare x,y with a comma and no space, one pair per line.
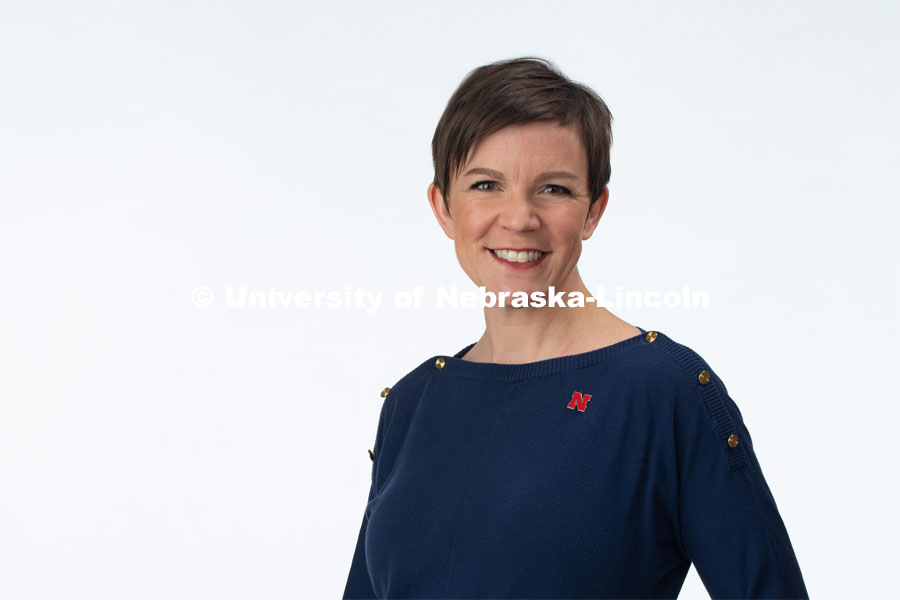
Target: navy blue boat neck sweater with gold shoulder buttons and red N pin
604,474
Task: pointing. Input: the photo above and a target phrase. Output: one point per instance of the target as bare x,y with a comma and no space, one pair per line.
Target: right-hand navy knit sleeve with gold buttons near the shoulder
730,525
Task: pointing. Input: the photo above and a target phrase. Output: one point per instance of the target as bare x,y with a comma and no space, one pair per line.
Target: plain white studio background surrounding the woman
153,449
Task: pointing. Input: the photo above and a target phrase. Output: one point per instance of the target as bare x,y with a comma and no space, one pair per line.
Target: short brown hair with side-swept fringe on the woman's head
514,91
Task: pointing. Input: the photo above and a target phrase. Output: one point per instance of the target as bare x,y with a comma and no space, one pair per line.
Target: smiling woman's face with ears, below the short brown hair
523,192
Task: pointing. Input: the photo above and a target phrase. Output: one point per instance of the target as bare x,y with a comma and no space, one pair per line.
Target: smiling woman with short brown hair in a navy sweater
566,453
